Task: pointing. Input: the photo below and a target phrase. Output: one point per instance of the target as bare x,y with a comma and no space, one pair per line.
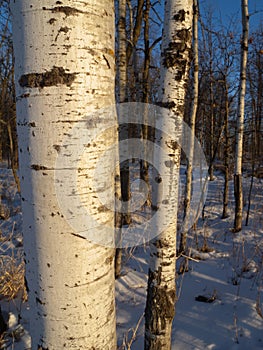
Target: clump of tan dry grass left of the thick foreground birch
11,278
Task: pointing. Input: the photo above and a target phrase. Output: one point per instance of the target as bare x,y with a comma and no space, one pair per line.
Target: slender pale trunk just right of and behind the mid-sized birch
191,142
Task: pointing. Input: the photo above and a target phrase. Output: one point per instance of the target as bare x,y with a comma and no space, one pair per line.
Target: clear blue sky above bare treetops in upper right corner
230,8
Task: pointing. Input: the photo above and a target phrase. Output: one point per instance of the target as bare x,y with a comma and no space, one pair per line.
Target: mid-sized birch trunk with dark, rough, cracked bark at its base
161,291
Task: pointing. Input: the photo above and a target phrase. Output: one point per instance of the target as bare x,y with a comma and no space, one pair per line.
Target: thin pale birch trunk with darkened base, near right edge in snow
240,120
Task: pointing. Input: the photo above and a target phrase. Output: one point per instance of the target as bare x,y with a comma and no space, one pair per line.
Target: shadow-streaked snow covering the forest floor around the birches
219,299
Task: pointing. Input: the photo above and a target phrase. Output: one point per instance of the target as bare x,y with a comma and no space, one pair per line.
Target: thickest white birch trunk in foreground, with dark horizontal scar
64,67
